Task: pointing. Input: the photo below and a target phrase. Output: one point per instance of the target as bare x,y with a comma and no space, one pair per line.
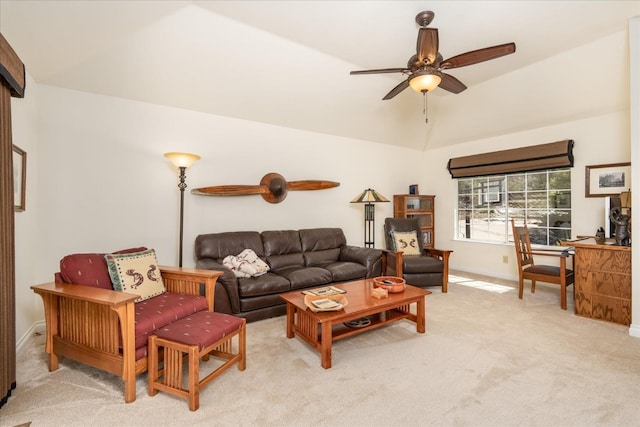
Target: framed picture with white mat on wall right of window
607,180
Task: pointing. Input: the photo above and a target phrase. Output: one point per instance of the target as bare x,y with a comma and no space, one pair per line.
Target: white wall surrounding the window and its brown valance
598,140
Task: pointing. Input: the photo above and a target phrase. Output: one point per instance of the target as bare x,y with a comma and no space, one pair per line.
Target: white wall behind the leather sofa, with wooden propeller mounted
103,183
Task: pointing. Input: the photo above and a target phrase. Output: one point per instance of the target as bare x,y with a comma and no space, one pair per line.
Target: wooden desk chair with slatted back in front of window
527,269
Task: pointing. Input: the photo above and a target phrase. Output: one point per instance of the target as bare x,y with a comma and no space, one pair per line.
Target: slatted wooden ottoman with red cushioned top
202,334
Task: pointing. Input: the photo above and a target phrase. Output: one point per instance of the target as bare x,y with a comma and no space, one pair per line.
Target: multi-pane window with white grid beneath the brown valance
540,199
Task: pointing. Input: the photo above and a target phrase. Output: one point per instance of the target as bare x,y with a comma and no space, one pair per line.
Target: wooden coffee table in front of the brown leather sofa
321,329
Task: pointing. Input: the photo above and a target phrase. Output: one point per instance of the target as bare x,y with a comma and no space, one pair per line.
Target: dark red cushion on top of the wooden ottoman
202,329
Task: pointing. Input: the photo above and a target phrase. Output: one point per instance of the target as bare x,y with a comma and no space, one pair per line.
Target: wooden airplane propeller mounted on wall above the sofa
273,188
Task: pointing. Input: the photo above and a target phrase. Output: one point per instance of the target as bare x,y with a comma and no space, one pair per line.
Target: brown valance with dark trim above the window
553,155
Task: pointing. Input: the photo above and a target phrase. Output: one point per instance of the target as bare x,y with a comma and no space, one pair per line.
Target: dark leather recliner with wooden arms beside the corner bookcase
428,268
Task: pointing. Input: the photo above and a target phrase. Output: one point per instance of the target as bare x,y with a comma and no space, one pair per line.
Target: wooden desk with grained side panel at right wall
602,280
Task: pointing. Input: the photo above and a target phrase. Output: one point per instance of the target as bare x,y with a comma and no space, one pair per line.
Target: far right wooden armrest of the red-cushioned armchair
187,281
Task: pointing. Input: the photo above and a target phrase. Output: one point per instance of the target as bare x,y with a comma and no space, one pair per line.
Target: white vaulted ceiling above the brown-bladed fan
287,63
